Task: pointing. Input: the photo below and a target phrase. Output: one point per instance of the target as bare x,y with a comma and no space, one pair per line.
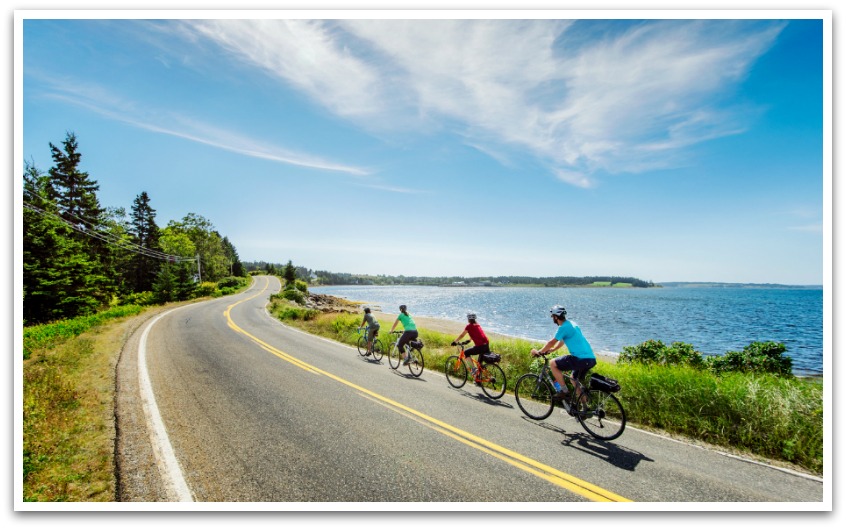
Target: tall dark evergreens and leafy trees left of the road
80,257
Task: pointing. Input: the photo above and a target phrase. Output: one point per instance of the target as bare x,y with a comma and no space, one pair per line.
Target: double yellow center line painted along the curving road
552,475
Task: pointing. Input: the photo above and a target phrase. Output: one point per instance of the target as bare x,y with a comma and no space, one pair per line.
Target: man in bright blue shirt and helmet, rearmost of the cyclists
581,357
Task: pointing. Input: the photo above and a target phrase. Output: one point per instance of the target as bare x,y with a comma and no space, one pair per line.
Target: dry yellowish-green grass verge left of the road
68,417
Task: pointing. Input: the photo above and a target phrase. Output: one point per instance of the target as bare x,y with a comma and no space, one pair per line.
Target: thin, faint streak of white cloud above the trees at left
101,101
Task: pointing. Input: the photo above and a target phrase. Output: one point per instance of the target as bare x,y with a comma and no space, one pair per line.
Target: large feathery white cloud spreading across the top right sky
625,100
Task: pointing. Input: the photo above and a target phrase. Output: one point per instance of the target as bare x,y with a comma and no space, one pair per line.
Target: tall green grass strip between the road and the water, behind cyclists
764,415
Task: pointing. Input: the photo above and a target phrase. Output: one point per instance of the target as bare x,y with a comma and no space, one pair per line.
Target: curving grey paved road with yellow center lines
256,411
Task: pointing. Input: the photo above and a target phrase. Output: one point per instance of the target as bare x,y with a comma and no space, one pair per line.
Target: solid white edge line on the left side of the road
166,460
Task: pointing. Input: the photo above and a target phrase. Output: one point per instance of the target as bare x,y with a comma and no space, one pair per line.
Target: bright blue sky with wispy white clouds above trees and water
669,150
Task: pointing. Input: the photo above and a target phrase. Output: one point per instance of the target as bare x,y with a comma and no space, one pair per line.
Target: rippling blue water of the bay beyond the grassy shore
713,320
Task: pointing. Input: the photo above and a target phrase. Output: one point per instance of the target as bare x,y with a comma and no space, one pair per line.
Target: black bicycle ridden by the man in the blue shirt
595,407
